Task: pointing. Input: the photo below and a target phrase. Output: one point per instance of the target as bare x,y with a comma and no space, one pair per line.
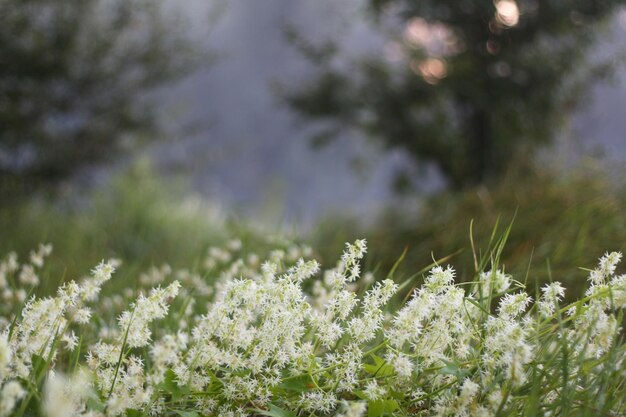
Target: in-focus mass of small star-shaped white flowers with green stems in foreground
241,337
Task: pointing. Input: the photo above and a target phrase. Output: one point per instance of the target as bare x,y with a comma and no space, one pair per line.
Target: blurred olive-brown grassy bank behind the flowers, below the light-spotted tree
559,220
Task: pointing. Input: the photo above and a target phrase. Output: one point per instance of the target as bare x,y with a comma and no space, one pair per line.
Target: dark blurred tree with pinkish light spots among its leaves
469,85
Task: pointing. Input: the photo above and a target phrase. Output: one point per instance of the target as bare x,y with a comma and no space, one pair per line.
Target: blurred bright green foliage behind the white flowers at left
136,217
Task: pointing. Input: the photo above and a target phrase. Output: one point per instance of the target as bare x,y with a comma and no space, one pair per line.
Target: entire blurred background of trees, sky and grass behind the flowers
151,130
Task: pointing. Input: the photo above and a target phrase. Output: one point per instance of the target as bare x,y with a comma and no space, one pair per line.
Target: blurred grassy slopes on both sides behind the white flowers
564,220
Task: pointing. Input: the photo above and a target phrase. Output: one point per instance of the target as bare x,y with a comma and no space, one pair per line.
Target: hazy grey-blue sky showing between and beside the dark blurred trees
252,154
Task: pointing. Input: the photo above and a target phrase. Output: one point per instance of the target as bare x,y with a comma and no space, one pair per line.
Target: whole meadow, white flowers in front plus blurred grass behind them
206,316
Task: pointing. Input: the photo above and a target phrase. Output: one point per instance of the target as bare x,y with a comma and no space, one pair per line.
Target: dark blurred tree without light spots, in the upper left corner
75,81
